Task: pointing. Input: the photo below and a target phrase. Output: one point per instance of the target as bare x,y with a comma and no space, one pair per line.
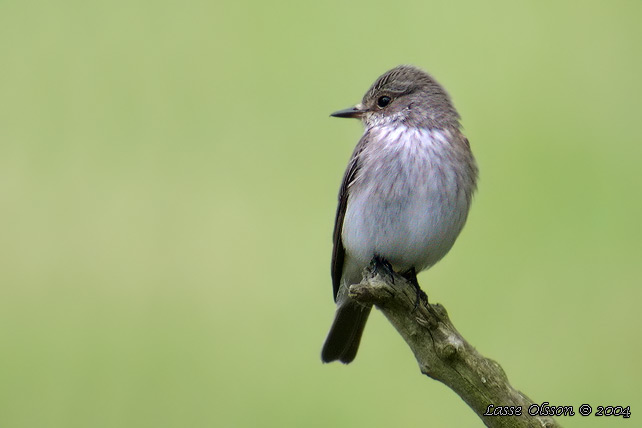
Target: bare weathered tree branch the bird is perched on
444,355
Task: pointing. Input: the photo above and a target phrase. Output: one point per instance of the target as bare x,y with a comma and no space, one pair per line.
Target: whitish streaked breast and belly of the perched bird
405,204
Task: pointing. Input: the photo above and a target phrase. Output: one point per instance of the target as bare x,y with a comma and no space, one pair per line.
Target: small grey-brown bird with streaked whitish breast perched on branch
405,194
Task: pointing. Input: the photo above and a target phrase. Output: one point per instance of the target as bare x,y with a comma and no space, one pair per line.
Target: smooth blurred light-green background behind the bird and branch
168,177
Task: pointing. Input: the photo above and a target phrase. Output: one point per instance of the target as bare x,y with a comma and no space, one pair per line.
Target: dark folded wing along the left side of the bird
338,250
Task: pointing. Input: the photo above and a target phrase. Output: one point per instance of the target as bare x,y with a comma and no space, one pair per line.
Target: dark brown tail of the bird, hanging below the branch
345,334
